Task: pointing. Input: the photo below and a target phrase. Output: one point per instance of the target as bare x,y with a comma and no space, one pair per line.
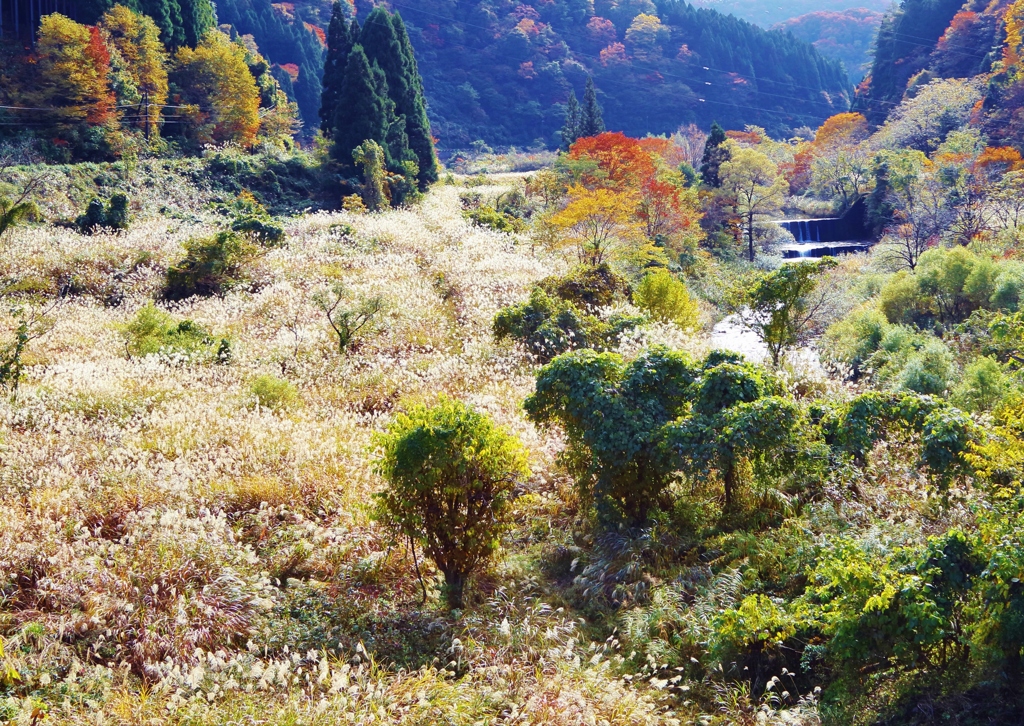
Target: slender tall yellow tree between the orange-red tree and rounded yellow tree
138,39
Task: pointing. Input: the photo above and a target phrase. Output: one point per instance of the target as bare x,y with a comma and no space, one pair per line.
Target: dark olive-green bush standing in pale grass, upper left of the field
211,267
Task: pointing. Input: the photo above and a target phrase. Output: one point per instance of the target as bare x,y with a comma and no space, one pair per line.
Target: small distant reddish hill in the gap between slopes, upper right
844,35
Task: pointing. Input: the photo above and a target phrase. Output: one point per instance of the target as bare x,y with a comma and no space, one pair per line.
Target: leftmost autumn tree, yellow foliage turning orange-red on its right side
74,66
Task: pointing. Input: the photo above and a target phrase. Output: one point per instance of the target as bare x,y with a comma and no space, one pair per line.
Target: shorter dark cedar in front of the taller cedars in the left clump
360,113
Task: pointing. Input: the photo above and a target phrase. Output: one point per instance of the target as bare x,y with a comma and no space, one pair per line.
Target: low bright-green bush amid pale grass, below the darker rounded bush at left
155,332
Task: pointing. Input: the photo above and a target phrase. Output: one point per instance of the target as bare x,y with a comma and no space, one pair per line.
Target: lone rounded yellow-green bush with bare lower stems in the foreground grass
451,475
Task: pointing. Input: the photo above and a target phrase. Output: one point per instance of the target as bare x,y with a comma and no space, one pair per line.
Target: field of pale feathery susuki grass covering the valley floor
184,541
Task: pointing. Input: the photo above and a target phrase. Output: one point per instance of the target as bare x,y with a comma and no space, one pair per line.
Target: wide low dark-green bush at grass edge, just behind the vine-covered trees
549,326
